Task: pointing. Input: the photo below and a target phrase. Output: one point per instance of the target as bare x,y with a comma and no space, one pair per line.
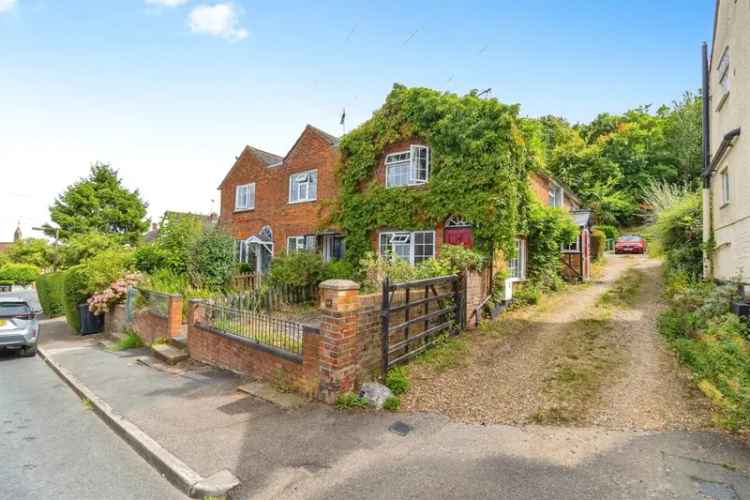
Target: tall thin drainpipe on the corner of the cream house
708,217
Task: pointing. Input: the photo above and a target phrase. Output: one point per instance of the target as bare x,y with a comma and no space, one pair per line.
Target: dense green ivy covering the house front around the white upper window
480,159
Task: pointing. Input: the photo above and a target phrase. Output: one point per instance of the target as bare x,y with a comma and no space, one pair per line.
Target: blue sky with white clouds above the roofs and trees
170,91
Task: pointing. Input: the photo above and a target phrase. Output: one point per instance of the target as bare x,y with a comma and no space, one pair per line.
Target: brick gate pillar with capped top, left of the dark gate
339,304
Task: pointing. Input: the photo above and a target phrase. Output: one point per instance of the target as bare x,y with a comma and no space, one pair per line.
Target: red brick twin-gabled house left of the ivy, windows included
272,204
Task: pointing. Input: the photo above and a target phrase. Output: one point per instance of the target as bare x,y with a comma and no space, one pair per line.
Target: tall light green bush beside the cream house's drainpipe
679,230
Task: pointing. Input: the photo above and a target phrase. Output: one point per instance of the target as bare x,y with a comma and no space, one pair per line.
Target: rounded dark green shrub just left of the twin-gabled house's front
211,260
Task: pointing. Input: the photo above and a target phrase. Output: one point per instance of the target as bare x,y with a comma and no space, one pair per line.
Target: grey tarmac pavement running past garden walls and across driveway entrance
315,451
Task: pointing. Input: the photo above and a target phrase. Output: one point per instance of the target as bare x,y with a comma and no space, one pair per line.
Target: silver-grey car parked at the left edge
19,328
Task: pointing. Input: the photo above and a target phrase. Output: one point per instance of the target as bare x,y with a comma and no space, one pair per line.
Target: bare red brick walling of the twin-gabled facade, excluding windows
272,205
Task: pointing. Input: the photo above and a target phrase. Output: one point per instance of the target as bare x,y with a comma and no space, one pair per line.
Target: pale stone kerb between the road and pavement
175,470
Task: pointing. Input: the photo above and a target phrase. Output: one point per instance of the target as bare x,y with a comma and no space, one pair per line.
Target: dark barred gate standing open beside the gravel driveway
415,313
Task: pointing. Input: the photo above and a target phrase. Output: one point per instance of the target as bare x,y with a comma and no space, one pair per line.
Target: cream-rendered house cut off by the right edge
726,169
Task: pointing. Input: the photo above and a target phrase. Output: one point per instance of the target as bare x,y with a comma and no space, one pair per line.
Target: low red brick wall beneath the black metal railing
245,357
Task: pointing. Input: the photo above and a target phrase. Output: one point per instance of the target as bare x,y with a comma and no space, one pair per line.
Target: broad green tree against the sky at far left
100,203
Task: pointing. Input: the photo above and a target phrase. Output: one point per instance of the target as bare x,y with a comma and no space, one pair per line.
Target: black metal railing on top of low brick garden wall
264,330
